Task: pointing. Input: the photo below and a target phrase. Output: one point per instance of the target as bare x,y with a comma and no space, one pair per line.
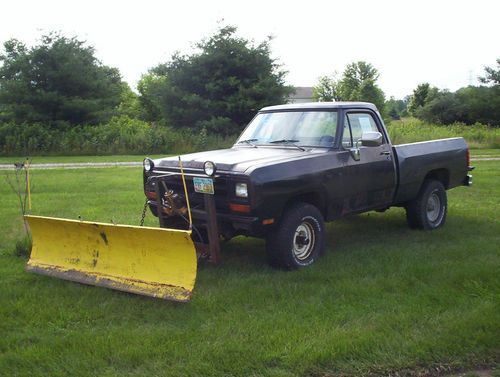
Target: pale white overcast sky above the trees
446,43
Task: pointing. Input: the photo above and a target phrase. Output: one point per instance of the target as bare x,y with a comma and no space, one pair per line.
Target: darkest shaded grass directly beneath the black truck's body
364,235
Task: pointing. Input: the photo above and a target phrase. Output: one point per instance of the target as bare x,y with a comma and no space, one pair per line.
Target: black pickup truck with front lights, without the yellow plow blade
296,166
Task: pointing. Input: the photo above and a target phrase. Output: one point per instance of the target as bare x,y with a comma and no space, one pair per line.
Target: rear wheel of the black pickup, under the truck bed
428,210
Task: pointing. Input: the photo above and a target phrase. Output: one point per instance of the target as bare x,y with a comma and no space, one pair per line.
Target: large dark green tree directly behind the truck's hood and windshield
218,88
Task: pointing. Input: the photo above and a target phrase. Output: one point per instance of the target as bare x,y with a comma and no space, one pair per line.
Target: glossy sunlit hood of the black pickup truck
237,159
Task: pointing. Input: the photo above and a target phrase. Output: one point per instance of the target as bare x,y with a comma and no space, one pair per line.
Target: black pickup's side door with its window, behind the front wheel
371,181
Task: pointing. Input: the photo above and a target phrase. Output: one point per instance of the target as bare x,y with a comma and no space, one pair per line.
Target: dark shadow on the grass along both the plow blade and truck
362,245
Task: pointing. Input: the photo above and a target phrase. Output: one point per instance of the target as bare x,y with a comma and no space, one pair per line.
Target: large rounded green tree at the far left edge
57,81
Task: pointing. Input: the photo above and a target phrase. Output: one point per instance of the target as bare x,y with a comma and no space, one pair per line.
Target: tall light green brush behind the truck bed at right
409,130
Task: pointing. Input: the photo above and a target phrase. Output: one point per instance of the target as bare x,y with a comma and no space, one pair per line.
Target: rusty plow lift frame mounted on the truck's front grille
170,203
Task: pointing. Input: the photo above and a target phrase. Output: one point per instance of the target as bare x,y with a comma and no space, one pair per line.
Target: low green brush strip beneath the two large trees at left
122,135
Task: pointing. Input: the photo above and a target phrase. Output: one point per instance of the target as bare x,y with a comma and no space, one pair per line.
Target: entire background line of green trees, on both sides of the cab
59,84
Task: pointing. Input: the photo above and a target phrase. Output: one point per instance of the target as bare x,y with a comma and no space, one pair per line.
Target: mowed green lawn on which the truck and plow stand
383,300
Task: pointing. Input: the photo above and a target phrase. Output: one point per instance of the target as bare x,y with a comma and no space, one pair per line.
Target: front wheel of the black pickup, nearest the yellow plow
299,238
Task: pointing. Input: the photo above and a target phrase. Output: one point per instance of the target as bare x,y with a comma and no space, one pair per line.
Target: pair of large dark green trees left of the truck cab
60,82
